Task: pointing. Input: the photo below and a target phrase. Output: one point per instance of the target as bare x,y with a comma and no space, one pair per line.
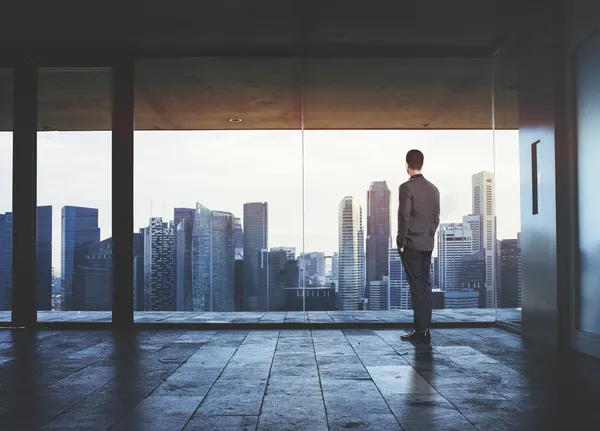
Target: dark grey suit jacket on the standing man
418,214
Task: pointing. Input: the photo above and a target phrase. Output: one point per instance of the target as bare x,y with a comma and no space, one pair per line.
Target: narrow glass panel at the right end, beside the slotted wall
509,285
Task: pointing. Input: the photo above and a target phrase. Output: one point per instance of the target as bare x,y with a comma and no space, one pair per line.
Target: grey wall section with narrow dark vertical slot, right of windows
537,110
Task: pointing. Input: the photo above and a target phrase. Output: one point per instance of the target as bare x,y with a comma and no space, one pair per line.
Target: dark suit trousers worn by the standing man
417,267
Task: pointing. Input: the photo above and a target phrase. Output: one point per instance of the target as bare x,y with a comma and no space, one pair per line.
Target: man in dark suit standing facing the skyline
418,220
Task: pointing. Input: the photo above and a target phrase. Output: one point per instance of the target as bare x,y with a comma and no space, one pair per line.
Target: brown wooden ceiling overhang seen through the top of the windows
204,94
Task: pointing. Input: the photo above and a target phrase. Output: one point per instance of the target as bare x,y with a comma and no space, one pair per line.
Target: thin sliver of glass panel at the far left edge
6,161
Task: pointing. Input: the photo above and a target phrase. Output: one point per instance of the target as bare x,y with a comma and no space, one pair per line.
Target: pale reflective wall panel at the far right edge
582,65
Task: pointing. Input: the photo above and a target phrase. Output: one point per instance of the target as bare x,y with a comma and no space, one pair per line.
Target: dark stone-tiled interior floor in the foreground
484,379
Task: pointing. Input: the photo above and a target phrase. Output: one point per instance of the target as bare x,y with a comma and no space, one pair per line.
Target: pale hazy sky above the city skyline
224,169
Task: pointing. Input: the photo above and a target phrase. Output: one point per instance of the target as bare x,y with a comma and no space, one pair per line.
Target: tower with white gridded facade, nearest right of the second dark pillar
159,266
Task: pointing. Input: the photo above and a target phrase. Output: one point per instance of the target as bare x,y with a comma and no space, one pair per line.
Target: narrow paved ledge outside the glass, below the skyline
320,317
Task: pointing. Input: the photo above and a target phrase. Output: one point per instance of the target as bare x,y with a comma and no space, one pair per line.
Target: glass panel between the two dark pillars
74,247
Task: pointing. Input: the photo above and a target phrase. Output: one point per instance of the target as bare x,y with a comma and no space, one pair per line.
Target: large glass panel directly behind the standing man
361,117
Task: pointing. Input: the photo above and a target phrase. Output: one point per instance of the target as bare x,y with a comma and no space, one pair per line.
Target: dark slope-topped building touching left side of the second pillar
96,294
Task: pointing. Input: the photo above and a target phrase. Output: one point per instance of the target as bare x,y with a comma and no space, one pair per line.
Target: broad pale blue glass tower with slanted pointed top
213,260
